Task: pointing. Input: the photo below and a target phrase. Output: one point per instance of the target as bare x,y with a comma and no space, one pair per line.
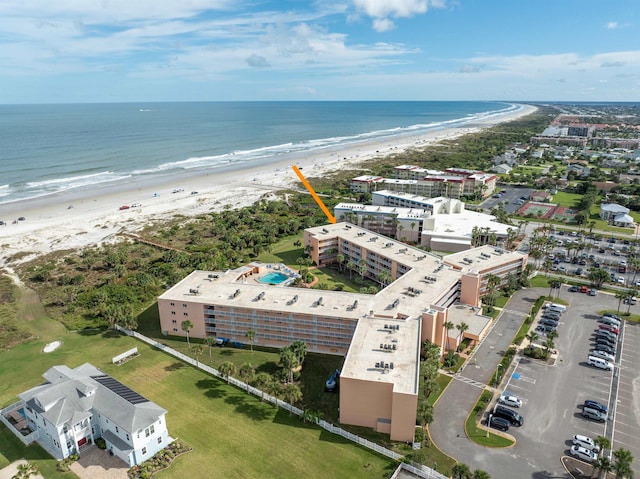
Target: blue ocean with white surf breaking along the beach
48,149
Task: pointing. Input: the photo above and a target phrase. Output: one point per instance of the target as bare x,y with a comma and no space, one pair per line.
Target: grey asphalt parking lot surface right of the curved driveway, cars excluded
553,395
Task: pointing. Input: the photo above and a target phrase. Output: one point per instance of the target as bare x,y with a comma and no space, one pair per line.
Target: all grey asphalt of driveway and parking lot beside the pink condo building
552,395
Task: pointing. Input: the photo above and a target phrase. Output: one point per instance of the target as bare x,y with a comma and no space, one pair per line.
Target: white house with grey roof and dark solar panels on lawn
74,407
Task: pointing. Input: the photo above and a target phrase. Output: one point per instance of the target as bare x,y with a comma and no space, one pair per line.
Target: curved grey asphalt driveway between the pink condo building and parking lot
453,407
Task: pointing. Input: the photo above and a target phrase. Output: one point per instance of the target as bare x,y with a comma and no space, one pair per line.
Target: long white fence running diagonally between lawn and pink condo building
424,471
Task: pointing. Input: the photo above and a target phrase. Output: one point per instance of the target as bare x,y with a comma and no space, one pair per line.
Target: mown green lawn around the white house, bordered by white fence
232,433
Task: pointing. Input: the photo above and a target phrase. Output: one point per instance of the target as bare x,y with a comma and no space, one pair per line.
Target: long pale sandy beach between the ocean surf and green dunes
79,218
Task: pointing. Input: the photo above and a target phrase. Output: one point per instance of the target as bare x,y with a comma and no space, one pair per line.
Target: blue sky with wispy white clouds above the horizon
60,51
